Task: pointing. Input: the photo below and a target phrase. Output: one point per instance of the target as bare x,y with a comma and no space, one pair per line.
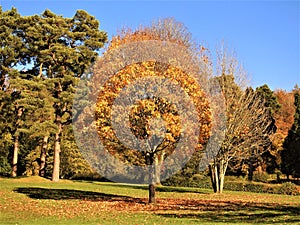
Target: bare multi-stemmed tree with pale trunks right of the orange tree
248,121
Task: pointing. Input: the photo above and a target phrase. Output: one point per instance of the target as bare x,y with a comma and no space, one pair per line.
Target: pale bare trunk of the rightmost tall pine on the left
56,158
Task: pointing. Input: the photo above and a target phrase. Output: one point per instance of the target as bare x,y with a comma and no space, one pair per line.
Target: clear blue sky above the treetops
265,34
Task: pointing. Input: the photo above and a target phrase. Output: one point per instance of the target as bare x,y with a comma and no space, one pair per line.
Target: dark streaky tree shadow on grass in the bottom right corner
237,212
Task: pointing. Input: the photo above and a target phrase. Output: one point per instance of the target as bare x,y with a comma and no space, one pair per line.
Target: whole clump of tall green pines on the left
37,100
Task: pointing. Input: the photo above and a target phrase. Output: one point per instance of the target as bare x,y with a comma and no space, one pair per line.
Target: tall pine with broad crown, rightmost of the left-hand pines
62,49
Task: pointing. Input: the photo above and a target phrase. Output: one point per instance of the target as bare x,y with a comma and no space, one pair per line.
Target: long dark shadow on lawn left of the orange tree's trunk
64,194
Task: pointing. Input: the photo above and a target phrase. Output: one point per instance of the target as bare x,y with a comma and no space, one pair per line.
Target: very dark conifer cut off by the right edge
290,156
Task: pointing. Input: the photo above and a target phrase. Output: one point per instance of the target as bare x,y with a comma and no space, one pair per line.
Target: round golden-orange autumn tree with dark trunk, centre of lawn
150,103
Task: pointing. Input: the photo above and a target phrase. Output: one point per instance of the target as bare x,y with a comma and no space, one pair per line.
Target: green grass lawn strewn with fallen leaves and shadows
34,200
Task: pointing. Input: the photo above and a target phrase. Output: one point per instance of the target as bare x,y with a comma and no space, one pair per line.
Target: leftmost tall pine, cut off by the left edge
12,103
